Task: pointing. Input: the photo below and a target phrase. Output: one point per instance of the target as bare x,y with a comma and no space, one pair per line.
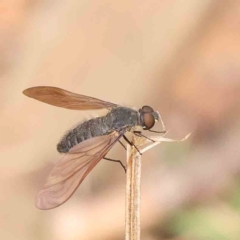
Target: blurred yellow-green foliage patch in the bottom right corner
217,221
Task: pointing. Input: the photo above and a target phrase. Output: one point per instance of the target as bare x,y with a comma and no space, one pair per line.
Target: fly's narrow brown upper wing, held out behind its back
65,99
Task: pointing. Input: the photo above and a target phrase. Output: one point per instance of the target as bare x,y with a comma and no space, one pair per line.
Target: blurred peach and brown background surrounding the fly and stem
181,57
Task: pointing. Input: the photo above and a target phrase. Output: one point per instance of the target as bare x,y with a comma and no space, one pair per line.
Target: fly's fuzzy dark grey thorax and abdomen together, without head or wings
118,119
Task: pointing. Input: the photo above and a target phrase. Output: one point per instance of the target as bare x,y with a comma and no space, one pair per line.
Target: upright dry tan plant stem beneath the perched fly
133,194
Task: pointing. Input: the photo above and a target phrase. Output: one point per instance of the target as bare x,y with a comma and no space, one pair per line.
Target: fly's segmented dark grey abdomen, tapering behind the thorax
89,129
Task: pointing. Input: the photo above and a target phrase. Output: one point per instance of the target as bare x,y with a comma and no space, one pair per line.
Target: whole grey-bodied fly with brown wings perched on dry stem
89,142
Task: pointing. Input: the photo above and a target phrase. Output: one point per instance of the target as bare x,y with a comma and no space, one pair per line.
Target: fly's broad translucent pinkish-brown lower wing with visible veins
72,169
